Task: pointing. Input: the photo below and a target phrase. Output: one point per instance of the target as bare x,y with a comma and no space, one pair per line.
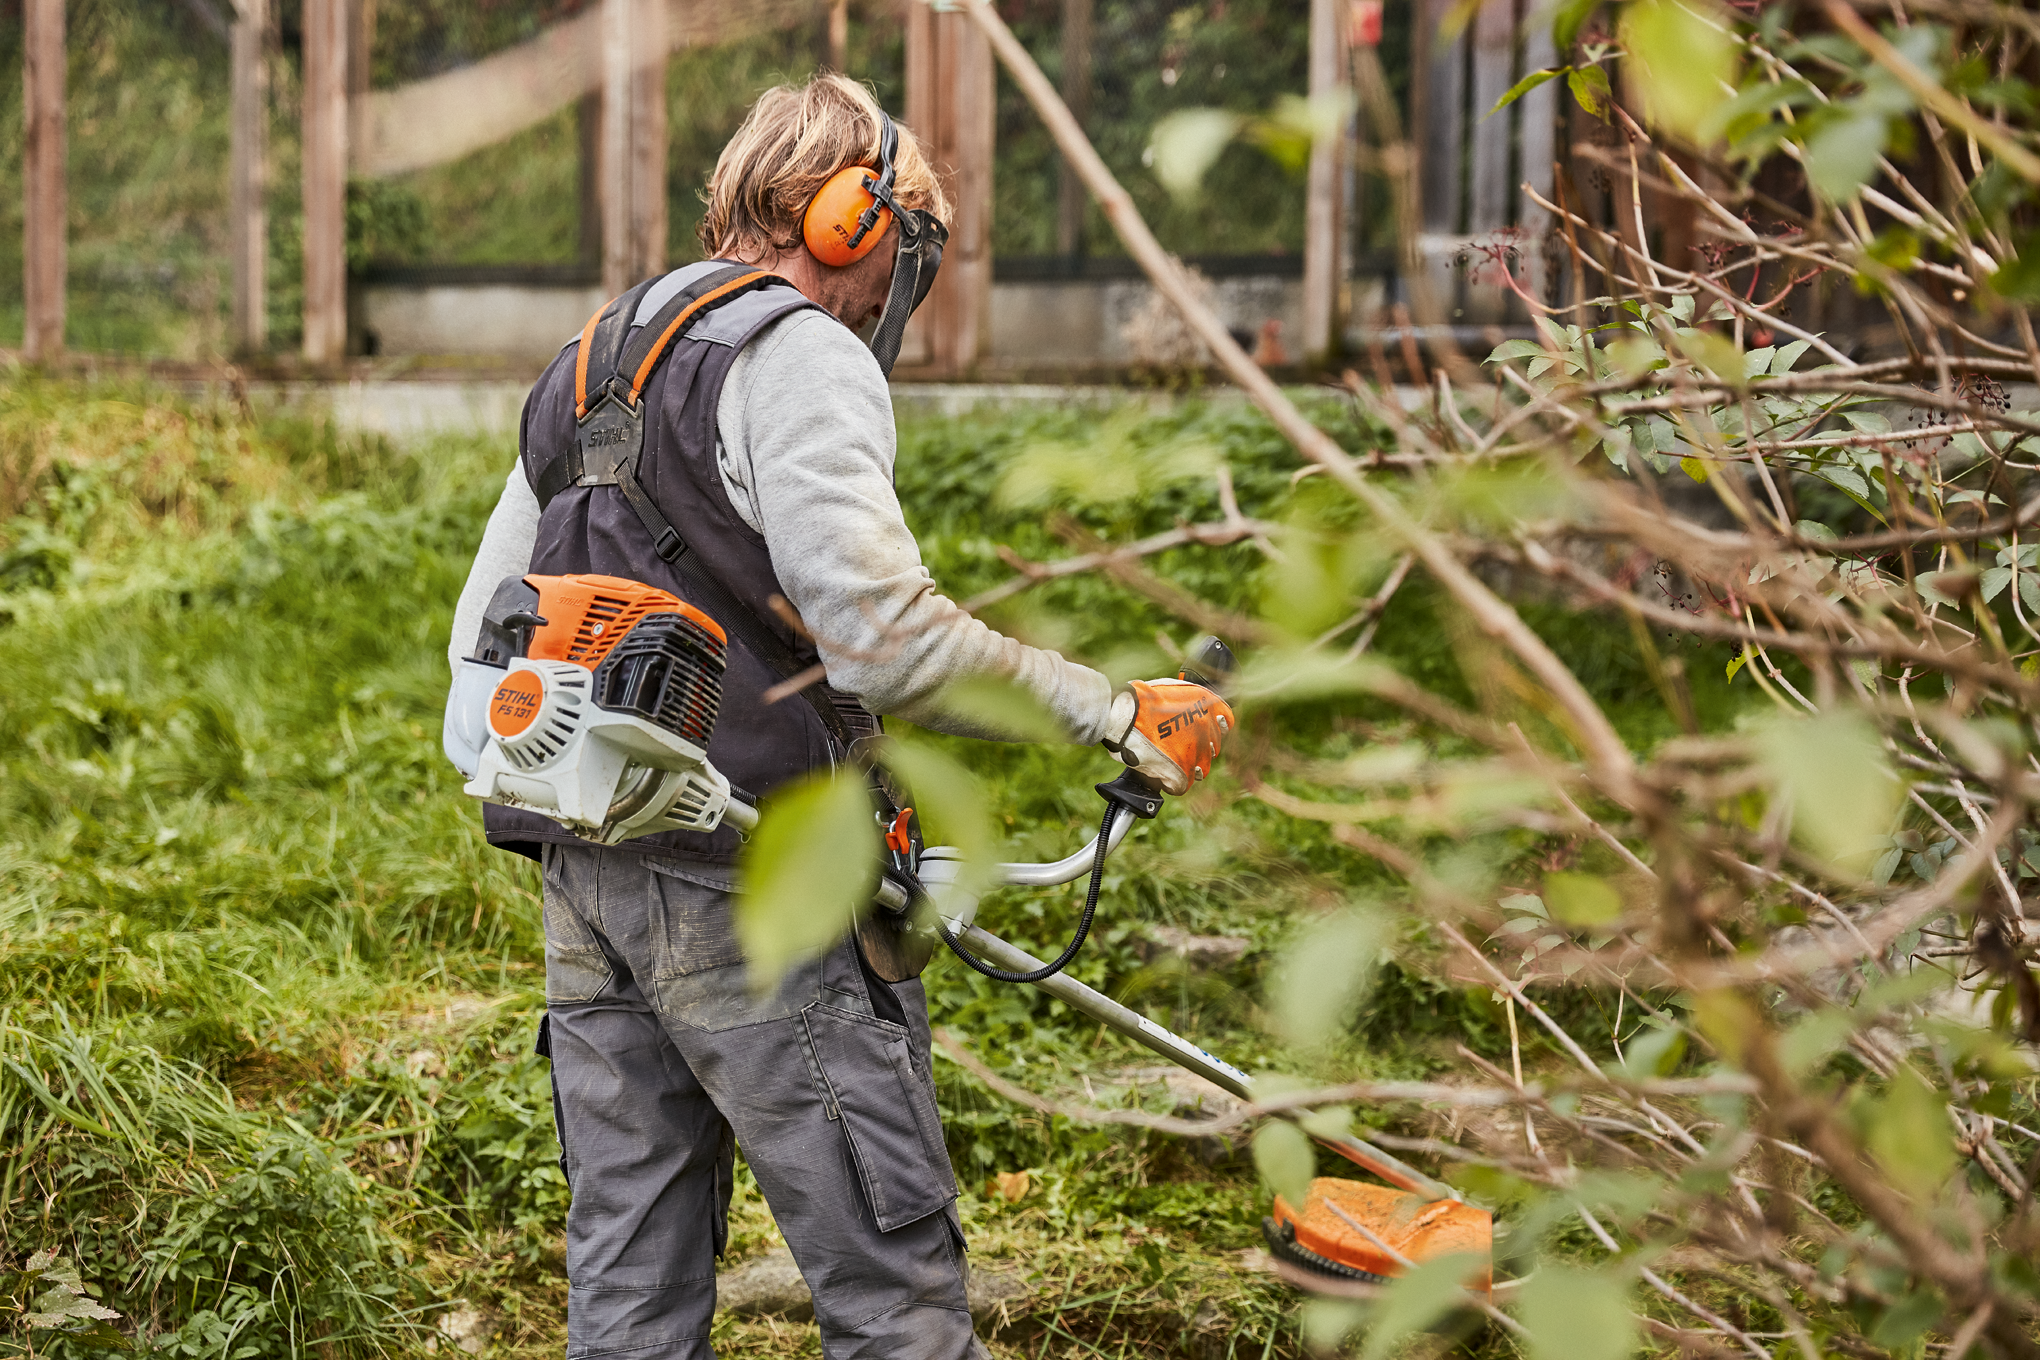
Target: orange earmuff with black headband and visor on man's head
850,217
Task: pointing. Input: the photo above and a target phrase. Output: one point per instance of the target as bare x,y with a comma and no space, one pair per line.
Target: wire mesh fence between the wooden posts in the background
474,142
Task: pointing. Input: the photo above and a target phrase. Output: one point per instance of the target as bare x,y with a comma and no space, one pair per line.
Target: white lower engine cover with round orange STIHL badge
550,749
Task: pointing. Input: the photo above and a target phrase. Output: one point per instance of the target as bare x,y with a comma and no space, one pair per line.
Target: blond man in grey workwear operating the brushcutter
764,494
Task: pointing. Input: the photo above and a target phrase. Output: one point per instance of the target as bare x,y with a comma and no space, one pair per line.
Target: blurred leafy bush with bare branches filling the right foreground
1819,906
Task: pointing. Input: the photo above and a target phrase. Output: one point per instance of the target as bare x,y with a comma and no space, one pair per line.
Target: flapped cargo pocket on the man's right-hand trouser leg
886,1112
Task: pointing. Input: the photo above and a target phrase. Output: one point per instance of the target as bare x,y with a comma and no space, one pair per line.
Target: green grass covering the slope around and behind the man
266,998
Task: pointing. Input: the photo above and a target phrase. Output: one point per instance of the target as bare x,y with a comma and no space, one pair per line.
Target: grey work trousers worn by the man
664,1065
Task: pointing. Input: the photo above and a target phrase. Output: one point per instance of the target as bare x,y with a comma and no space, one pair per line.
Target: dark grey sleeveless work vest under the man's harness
593,529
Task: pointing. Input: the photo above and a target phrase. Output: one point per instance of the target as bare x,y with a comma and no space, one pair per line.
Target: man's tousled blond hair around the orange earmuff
788,148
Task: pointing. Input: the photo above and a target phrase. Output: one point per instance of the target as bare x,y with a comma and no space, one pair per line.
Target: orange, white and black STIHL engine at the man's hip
591,700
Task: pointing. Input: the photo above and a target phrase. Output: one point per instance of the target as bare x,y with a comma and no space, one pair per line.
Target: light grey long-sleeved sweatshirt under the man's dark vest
807,452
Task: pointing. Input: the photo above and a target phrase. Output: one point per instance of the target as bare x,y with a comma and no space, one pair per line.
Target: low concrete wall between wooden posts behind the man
1035,323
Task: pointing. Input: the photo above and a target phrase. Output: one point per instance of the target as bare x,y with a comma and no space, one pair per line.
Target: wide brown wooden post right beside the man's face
952,107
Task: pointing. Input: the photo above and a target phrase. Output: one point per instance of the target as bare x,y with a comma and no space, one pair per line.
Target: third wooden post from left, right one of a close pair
325,180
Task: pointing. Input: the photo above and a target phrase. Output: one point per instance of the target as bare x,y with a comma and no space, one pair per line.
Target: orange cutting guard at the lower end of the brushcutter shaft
1415,1226
